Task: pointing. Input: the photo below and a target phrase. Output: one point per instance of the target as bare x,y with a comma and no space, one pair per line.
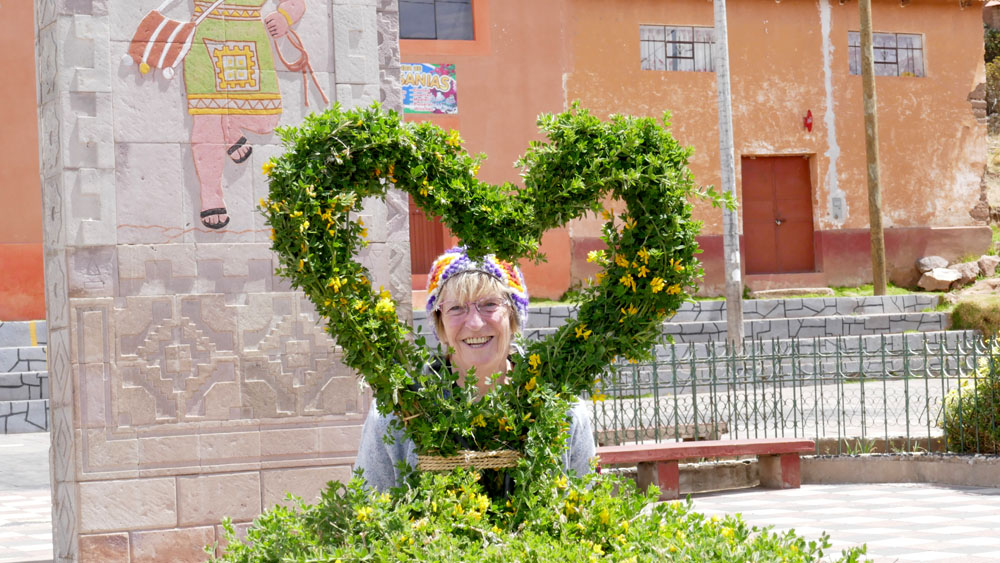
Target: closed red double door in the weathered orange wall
777,215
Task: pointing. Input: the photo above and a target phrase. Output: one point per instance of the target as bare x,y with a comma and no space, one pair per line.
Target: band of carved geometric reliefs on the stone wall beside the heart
204,360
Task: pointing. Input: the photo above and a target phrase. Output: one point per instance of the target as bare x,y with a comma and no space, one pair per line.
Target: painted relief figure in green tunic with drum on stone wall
228,51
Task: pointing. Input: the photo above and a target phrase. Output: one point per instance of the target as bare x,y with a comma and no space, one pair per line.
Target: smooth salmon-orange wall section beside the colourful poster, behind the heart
507,76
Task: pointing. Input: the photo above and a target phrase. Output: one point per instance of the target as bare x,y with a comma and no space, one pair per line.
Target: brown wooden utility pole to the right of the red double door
876,232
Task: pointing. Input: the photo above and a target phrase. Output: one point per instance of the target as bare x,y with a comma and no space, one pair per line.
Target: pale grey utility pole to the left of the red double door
730,224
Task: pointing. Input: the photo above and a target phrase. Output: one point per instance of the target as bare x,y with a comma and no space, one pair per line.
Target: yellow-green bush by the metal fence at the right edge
971,415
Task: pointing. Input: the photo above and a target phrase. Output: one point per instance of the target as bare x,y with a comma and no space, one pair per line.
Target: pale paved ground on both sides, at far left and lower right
898,522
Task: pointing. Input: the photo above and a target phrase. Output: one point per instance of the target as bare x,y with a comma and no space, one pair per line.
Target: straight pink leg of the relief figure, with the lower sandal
207,140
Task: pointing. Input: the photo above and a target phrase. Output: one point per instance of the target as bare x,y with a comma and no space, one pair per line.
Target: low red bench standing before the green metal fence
658,463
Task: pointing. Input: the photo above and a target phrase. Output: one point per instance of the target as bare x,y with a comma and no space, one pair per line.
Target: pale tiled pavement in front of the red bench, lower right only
898,522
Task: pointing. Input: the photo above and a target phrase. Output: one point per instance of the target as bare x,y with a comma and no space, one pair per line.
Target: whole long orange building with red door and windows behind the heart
802,190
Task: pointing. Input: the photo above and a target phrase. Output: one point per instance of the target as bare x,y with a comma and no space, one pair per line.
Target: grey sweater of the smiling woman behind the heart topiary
378,459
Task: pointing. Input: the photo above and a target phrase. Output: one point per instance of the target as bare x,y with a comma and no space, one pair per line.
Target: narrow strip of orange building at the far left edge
21,280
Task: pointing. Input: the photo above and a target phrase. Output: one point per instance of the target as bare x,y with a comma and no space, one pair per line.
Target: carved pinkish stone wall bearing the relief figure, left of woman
189,382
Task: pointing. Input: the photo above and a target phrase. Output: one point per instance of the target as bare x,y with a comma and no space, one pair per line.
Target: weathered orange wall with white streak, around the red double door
790,58
